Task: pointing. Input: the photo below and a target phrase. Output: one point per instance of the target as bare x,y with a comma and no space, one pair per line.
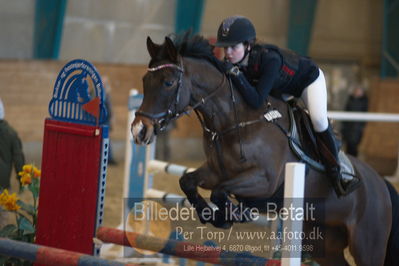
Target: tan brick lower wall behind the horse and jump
26,88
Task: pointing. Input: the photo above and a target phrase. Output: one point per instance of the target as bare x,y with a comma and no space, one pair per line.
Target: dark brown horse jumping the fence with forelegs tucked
245,155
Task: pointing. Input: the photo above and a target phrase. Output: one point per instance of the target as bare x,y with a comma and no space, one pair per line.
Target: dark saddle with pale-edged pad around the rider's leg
302,141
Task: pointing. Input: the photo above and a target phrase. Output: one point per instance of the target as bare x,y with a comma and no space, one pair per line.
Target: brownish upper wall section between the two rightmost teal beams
348,30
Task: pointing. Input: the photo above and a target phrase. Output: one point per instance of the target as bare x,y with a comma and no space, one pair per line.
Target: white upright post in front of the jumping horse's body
294,190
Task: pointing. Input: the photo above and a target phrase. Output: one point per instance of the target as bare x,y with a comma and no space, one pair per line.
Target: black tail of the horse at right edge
392,257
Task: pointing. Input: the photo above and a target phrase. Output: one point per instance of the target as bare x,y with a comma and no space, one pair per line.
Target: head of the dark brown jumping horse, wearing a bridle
166,93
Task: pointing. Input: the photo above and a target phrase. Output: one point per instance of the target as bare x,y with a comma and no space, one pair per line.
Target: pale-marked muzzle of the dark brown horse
142,131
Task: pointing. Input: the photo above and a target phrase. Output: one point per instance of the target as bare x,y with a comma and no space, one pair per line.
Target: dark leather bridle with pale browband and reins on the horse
162,119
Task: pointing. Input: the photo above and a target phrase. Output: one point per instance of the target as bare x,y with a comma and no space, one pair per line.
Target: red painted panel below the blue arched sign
70,170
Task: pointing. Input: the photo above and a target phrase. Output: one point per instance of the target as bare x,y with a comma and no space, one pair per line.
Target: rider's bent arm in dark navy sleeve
255,96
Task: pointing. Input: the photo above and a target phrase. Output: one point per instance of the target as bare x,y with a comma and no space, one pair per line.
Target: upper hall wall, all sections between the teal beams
115,31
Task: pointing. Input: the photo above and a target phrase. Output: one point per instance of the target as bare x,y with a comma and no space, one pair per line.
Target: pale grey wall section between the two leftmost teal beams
115,31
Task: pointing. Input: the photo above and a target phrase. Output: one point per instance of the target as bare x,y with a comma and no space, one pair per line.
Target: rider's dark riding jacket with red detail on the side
271,70
